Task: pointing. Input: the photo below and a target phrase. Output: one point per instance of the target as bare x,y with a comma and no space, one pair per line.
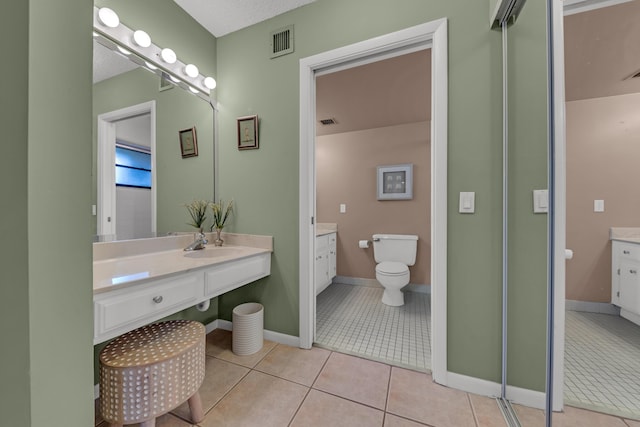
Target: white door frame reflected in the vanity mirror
106,197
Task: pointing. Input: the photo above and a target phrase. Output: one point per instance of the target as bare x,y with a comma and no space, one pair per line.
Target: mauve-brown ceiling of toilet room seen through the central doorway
384,93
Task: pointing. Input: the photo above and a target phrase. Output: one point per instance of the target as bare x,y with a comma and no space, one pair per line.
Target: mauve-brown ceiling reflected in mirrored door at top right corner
602,49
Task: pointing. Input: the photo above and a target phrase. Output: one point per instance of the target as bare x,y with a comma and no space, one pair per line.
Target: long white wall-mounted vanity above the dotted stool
140,281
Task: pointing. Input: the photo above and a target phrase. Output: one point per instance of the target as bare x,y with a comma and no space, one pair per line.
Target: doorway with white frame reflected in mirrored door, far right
597,351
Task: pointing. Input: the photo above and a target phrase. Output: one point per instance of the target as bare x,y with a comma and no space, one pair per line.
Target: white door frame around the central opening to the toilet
434,35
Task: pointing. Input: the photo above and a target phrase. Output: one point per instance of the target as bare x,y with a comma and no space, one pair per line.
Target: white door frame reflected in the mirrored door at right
568,7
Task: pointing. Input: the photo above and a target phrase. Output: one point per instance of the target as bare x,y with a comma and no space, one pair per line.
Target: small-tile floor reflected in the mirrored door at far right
602,363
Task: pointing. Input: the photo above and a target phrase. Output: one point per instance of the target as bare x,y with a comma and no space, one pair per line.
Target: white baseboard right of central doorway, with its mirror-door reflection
521,396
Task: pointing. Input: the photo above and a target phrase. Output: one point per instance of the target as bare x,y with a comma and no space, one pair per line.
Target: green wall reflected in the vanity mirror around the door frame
178,180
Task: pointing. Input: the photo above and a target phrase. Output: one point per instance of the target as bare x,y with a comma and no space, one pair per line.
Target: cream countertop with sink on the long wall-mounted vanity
124,268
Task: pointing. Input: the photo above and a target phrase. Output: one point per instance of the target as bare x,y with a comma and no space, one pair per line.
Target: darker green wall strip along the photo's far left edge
15,387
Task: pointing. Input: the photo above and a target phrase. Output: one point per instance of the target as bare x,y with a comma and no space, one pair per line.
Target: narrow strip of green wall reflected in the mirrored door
527,172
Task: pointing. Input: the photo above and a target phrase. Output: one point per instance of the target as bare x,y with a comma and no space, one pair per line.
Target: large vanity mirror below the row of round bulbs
138,114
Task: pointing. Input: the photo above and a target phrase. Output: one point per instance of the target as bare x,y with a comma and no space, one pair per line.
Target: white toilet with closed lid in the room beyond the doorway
394,253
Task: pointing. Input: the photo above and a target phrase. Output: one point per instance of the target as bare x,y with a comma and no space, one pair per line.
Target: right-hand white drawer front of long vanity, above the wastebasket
231,275
